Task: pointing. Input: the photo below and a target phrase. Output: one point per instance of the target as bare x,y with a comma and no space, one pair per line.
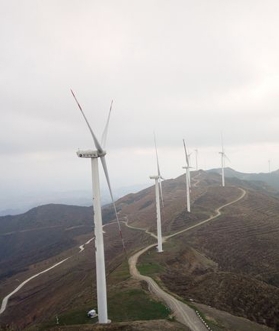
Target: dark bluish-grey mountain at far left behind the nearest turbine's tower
41,233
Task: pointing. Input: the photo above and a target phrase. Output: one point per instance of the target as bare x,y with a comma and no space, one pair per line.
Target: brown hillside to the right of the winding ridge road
231,263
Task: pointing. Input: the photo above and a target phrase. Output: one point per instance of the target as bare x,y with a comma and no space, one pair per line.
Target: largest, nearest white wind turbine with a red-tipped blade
98,229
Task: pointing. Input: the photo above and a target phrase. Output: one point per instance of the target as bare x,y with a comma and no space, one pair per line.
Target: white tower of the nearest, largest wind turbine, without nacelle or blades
99,245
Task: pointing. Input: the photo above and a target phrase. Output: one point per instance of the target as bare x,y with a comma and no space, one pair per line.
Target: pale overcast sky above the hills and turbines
184,69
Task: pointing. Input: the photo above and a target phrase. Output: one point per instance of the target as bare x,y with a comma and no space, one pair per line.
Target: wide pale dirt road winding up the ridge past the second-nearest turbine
183,313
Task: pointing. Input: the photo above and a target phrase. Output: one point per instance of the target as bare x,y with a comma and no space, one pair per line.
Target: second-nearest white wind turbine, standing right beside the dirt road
158,193
